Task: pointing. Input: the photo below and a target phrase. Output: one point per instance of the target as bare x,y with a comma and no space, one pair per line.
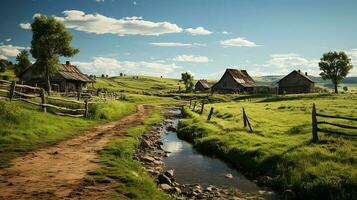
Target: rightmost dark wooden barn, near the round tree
296,82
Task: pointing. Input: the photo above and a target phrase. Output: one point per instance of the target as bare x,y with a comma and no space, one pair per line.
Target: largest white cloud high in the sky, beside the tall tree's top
100,24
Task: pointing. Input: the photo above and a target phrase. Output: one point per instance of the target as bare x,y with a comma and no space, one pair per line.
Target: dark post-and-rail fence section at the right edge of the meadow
316,129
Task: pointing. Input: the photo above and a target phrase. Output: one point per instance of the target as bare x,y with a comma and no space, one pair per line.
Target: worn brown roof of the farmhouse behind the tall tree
68,72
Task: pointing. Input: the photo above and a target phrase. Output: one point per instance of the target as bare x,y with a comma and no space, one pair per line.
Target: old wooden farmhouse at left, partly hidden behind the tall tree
68,78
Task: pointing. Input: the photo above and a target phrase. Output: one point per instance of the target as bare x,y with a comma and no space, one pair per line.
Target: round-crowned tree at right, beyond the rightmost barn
335,66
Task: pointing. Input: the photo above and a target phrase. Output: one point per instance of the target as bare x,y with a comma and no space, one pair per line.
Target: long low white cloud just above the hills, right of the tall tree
112,67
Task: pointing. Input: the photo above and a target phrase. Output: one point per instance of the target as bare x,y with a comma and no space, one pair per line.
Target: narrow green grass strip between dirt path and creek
119,168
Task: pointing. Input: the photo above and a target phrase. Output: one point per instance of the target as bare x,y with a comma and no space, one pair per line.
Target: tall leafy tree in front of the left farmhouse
50,40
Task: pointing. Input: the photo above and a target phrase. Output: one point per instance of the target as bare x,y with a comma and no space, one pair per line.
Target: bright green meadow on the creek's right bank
280,146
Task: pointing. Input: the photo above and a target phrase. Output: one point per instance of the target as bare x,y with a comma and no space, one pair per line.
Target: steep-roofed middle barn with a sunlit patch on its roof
234,81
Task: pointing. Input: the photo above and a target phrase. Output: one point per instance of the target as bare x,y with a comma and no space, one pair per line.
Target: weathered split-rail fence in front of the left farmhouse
27,93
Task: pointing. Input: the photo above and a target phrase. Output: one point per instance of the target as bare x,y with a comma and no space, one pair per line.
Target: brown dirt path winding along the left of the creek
54,172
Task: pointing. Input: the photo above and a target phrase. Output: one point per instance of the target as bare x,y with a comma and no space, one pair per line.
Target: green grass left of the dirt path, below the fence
23,128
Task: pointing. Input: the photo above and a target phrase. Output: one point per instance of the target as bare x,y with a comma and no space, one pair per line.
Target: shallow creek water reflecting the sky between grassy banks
192,167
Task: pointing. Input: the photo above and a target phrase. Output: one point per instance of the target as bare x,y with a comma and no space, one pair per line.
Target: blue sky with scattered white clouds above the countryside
203,37
